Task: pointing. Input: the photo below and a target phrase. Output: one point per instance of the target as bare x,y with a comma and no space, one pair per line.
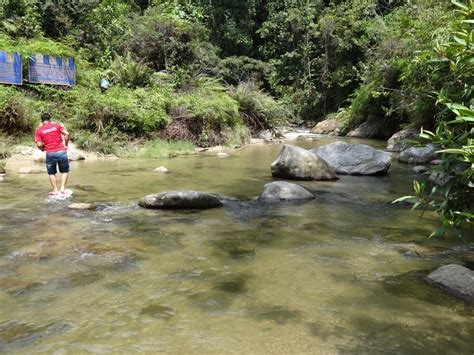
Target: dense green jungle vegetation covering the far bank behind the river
211,71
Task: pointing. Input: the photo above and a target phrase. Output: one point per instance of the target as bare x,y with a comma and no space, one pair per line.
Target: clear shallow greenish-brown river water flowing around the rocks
342,273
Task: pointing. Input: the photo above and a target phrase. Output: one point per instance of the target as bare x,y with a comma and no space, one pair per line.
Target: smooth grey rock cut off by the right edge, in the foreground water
454,279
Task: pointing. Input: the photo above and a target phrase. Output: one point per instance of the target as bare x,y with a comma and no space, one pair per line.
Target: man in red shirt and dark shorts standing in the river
49,138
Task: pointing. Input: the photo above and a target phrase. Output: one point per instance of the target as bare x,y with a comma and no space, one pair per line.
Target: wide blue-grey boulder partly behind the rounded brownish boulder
354,159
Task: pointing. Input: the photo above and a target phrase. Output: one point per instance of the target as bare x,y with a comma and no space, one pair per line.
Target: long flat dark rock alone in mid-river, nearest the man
181,199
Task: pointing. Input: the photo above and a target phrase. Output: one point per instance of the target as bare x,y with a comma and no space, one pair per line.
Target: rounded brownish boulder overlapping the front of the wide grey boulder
300,164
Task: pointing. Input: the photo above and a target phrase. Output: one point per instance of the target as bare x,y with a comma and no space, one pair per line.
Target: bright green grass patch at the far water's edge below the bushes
160,149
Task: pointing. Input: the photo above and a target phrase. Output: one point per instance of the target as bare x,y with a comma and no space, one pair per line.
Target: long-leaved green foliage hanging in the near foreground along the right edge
453,199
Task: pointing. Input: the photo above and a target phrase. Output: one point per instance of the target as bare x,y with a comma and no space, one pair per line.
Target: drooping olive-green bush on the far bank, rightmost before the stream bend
259,110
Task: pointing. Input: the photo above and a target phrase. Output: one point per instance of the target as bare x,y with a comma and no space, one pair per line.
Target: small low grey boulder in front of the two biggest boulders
279,191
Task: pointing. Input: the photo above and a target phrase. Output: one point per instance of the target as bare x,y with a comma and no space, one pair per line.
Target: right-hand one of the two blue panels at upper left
48,69
